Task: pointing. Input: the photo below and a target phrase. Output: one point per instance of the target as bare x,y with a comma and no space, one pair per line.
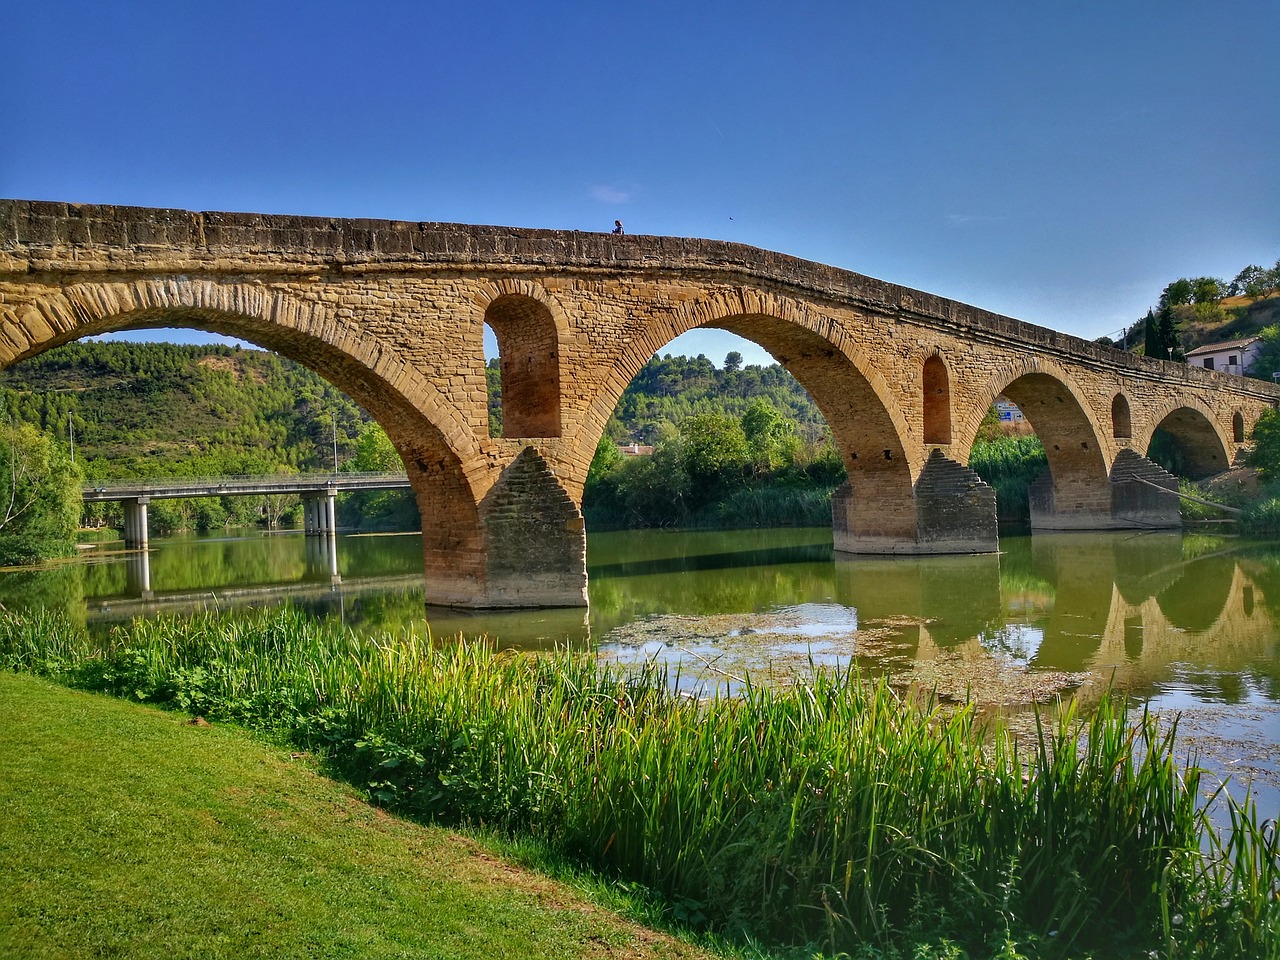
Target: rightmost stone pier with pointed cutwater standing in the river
1139,496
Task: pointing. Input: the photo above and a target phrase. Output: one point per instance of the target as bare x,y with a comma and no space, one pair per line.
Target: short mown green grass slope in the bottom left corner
127,833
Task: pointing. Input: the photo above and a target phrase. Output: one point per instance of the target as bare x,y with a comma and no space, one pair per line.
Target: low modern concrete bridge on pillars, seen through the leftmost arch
318,492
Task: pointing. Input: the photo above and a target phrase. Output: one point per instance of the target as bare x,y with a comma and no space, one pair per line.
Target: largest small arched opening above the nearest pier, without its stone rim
528,369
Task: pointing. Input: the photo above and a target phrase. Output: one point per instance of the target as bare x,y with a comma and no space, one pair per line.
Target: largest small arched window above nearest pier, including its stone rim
531,328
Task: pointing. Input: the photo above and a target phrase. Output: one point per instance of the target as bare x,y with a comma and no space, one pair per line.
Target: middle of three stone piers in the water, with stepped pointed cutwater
949,511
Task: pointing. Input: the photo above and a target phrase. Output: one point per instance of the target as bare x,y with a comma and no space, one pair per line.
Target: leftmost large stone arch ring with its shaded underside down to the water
446,468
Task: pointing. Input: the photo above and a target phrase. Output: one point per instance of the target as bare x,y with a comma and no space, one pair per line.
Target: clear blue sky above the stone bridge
1059,163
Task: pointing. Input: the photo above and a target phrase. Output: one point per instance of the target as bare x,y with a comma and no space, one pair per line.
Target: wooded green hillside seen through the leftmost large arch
167,410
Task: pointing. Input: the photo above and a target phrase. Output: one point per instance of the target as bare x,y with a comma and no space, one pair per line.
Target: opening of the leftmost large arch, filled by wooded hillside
152,409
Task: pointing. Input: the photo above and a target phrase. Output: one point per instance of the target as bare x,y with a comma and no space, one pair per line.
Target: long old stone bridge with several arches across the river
394,314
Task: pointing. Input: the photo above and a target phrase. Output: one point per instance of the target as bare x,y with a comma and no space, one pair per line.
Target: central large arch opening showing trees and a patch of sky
698,444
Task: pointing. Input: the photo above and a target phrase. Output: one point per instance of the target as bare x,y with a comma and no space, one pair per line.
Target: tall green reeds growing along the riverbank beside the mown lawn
830,812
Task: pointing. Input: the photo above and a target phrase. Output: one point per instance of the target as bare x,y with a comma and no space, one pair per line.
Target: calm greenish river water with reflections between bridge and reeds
1186,623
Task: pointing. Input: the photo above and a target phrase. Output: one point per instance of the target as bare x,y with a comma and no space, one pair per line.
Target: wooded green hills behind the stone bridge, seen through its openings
168,410
